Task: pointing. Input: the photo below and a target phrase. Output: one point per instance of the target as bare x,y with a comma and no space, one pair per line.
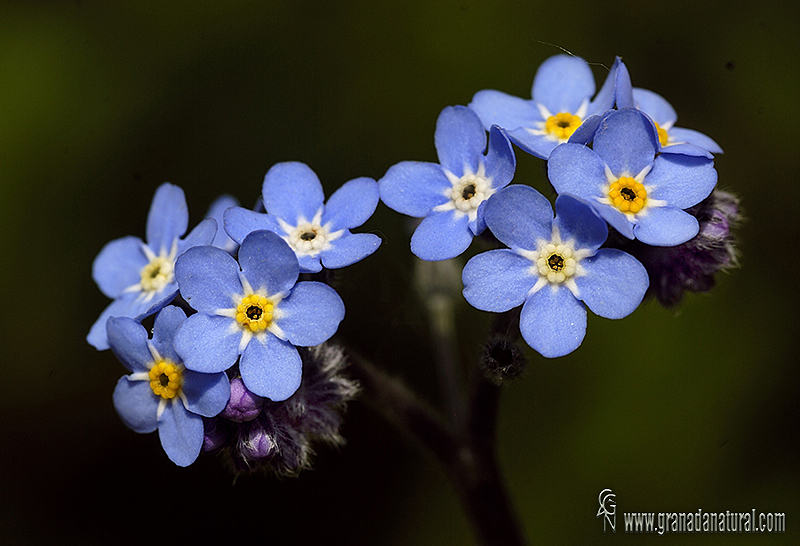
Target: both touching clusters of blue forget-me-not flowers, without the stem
631,188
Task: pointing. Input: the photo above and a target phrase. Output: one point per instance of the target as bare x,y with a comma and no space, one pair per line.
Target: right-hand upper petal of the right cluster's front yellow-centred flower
680,180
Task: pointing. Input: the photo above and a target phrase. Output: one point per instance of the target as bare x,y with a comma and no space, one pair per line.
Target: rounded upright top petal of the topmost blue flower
562,83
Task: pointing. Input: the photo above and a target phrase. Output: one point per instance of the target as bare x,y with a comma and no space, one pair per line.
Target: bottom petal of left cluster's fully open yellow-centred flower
272,369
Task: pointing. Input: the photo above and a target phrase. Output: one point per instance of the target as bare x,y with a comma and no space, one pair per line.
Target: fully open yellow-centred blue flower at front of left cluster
257,312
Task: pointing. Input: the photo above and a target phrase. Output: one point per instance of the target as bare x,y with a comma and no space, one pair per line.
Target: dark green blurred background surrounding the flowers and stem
100,102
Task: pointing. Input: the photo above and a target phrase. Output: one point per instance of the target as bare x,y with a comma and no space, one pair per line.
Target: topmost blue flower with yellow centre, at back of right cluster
562,89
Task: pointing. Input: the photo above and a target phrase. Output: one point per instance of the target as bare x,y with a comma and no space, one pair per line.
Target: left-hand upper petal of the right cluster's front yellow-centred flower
577,170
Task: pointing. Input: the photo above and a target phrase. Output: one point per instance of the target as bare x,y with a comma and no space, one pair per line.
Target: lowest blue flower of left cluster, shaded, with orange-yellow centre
160,393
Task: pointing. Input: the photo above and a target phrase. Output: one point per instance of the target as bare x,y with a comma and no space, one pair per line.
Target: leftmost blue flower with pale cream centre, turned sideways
138,276
